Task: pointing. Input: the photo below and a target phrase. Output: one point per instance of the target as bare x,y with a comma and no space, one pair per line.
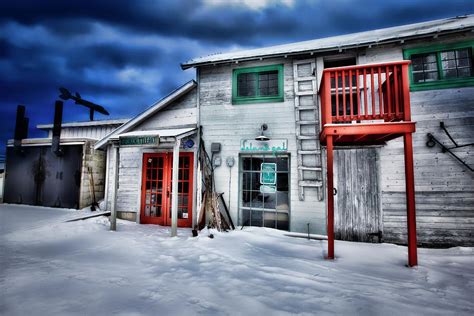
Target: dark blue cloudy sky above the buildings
125,55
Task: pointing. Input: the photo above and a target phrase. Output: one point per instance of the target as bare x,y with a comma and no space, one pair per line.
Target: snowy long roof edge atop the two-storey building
380,36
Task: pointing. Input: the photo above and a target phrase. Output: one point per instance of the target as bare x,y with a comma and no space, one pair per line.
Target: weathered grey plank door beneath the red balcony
357,211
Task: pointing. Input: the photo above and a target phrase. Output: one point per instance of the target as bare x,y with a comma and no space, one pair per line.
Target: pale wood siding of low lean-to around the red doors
182,112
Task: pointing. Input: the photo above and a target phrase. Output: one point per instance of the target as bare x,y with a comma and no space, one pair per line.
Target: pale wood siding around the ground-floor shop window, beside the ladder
227,124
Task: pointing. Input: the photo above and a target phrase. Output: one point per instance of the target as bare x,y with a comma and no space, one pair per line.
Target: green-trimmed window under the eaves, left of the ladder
257,84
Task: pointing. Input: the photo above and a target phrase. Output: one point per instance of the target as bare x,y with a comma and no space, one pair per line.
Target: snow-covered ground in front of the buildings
48,267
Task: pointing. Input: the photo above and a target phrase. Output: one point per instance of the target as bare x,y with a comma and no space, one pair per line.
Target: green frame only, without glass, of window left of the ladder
257,98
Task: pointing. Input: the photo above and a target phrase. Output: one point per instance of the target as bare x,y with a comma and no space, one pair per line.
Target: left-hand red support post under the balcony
330,185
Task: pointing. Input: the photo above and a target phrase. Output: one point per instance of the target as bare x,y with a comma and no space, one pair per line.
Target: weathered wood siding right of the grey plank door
444,187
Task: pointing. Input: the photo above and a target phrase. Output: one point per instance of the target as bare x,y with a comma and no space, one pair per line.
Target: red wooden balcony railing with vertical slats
357,94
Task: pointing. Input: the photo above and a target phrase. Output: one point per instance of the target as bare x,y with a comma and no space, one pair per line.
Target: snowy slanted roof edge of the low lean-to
157,106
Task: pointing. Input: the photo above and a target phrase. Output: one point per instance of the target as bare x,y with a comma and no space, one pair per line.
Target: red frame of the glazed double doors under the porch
165,218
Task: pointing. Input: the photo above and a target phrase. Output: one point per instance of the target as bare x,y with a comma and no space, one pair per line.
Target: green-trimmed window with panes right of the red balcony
441,66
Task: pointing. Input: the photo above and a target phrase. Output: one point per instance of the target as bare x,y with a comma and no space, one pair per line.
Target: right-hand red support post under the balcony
410,194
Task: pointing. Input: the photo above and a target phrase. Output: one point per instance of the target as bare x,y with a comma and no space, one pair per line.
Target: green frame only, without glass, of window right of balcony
441,82
